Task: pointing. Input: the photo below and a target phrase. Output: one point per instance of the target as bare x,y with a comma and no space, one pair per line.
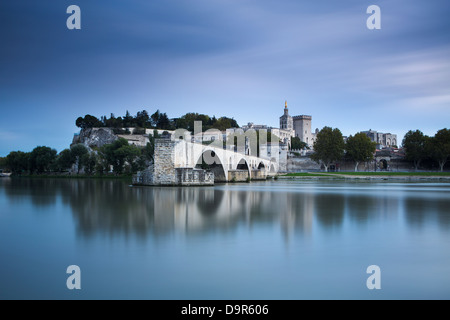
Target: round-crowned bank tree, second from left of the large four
360,148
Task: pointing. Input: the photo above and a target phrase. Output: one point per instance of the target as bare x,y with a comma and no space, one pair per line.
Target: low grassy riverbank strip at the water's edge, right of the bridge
403,176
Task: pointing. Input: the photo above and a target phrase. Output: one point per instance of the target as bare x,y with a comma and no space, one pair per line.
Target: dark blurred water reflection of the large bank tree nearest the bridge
329,209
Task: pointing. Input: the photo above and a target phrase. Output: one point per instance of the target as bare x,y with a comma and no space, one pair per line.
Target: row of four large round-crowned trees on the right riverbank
330,147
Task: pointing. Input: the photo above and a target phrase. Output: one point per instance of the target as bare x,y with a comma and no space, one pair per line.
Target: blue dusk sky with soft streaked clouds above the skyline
234,58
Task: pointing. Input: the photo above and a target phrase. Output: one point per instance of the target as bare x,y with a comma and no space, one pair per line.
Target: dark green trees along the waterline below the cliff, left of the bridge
118,157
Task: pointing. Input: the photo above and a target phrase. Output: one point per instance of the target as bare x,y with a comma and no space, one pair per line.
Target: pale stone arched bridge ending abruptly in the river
182,162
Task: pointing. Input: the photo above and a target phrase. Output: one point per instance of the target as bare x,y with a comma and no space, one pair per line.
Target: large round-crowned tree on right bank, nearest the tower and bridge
329,146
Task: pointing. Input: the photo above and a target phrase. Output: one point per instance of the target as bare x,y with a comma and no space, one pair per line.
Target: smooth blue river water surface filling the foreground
267,240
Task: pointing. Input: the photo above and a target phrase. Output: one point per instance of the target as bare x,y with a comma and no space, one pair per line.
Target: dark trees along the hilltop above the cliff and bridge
158,120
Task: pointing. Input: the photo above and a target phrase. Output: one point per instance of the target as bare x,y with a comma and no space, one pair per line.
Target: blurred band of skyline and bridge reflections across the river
113,207
